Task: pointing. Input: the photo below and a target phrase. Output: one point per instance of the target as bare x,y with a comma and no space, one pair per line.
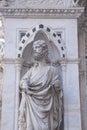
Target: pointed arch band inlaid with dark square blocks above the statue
48,32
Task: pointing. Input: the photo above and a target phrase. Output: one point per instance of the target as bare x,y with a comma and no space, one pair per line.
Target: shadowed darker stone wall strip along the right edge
83,64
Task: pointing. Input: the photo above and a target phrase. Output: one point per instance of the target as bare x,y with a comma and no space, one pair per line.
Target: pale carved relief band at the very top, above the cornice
40,3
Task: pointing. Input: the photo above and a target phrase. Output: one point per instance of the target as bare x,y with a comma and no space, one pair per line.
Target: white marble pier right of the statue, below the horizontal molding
72,99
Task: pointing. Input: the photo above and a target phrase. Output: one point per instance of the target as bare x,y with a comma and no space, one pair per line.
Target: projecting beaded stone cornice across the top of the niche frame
42,13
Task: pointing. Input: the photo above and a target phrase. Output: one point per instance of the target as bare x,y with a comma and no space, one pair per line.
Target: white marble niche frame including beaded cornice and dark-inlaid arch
60,21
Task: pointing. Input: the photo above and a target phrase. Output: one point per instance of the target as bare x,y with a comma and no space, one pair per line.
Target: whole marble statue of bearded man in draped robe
41,102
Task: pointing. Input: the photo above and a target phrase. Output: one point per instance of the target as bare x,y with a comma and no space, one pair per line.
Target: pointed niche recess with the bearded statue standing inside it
41,93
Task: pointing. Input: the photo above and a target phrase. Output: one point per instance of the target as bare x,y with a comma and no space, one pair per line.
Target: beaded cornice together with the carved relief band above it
43,8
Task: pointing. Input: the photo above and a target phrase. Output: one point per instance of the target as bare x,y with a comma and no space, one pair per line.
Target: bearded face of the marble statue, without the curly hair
38,52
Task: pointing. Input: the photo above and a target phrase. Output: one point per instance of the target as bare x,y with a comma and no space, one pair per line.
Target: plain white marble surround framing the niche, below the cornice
70,71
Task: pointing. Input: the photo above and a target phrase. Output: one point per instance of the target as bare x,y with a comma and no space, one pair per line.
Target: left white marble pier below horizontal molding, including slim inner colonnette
10,95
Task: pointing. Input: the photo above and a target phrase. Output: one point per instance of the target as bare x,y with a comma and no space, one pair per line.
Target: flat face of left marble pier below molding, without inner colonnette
8,95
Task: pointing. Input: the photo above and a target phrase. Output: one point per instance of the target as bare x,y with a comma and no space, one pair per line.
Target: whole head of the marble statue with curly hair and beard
40,50
